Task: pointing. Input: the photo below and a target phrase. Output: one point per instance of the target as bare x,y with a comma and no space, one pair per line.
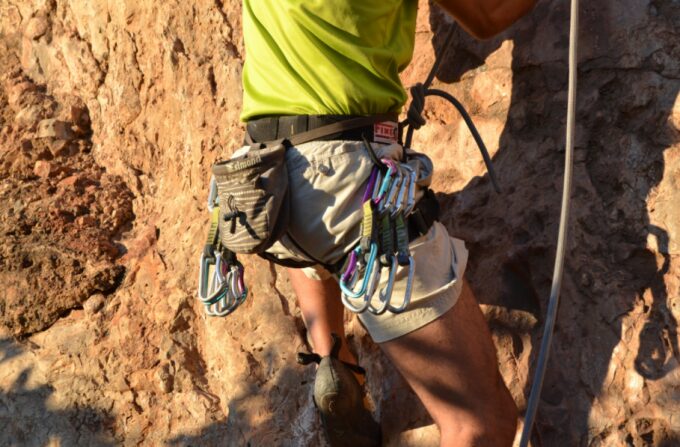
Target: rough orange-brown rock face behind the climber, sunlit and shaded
111,116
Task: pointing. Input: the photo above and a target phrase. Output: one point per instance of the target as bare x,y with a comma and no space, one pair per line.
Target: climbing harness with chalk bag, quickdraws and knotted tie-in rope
255,212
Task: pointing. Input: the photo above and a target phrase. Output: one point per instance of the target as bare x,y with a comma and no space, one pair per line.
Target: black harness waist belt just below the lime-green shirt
340,127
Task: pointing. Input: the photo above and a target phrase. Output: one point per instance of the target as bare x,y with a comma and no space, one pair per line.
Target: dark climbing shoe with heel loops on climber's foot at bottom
339,399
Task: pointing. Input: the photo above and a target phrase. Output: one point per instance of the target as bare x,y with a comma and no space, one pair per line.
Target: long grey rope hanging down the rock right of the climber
553,303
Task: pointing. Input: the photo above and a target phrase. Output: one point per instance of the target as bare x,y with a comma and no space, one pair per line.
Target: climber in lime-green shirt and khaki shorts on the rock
310,63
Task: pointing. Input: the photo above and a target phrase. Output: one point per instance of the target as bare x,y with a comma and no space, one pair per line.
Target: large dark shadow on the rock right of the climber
611,271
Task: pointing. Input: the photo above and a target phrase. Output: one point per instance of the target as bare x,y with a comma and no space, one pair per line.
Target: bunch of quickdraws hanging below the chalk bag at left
221,287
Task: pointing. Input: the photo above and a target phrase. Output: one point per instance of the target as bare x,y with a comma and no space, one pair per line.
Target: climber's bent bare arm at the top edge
486,18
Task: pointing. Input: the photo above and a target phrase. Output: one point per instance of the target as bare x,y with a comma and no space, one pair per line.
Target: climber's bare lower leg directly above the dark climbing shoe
322,312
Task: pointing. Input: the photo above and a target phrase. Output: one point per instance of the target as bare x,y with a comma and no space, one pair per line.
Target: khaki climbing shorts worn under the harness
327,182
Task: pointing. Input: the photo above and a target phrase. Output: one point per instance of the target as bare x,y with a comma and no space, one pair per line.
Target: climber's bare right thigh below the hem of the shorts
451,365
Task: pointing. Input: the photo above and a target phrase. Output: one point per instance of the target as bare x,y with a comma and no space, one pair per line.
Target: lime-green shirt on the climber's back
325,57
